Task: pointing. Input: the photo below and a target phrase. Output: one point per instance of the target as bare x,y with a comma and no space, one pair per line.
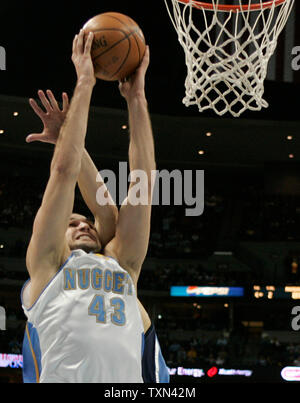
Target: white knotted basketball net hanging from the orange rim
227,52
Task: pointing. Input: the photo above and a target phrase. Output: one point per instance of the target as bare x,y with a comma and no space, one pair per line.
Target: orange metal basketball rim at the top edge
234,8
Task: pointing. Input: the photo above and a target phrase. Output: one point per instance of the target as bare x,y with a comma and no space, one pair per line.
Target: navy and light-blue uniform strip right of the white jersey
149,368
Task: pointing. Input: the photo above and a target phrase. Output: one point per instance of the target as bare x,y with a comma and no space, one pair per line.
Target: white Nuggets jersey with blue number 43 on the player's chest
86,325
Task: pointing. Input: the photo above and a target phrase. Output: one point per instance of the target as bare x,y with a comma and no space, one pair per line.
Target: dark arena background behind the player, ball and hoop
248,235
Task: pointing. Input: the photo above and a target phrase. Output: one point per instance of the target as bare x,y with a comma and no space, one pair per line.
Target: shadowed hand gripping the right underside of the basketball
134,86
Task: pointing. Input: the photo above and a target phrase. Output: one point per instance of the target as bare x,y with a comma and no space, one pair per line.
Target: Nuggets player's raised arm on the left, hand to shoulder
48,248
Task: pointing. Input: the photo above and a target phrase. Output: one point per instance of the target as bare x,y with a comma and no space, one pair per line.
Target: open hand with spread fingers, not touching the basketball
52,117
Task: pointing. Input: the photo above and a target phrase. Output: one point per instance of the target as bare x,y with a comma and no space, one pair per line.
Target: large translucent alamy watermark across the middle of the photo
168,188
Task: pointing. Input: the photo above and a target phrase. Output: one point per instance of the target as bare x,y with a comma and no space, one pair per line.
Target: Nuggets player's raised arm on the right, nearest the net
130,244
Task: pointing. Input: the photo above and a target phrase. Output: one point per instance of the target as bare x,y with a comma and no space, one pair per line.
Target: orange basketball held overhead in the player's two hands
118,47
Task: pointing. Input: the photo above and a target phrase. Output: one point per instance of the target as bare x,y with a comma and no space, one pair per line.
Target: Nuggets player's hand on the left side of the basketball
82,58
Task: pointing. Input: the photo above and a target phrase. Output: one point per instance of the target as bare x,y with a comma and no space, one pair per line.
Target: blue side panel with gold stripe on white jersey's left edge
31,355
